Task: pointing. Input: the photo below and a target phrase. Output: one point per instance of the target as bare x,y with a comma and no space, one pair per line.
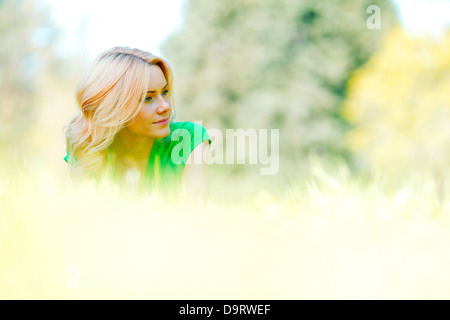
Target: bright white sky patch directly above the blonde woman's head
103,24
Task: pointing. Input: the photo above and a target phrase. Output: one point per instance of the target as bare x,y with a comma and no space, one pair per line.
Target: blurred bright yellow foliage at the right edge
399,106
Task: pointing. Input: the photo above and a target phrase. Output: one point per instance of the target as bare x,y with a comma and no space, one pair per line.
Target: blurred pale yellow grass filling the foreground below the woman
331,236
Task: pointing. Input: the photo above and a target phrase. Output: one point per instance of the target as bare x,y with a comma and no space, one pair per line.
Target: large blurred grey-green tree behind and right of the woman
273,64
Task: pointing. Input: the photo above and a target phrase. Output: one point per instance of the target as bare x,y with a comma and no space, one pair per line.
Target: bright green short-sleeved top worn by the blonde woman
169,155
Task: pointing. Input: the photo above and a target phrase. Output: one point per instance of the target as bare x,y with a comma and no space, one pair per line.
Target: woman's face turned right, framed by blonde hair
153,118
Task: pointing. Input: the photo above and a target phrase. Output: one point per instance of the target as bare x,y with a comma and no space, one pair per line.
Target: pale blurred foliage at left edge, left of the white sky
27,39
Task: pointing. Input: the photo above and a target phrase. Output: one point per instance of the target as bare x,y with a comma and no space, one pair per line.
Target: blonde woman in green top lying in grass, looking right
125,128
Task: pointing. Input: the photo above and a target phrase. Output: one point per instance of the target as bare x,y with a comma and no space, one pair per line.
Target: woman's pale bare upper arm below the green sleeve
194,179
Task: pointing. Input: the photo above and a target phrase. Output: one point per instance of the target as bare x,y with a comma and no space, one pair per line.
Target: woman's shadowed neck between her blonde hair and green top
129,144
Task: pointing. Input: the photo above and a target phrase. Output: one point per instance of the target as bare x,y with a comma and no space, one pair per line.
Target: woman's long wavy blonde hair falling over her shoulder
109,97
